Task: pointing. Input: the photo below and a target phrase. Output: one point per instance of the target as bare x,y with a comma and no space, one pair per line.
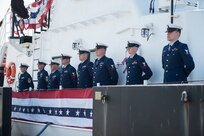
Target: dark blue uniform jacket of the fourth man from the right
85,74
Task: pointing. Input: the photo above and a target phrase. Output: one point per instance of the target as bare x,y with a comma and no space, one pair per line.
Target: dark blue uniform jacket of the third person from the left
54,80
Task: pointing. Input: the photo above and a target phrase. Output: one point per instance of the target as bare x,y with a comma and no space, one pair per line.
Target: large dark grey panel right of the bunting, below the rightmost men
157,110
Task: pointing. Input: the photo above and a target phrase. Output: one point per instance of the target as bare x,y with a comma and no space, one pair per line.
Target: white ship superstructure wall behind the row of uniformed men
78,24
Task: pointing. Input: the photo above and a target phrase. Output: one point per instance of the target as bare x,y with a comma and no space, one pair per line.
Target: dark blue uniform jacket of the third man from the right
104,72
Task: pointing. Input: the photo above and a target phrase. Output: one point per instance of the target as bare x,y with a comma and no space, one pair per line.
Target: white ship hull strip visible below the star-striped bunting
26,128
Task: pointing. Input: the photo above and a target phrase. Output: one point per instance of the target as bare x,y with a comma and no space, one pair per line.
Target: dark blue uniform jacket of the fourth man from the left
68,77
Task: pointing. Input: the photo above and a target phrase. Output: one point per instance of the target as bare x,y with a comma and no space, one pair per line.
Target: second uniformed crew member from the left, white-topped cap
42,76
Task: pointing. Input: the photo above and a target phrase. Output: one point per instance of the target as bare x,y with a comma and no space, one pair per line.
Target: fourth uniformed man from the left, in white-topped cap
68,73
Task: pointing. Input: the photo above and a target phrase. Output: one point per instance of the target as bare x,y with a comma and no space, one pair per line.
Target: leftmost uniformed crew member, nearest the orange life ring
25,80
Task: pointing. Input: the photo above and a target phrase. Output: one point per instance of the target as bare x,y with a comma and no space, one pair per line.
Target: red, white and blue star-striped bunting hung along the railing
63,107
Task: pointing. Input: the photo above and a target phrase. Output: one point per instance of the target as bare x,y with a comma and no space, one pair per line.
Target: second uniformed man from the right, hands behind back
137,68
